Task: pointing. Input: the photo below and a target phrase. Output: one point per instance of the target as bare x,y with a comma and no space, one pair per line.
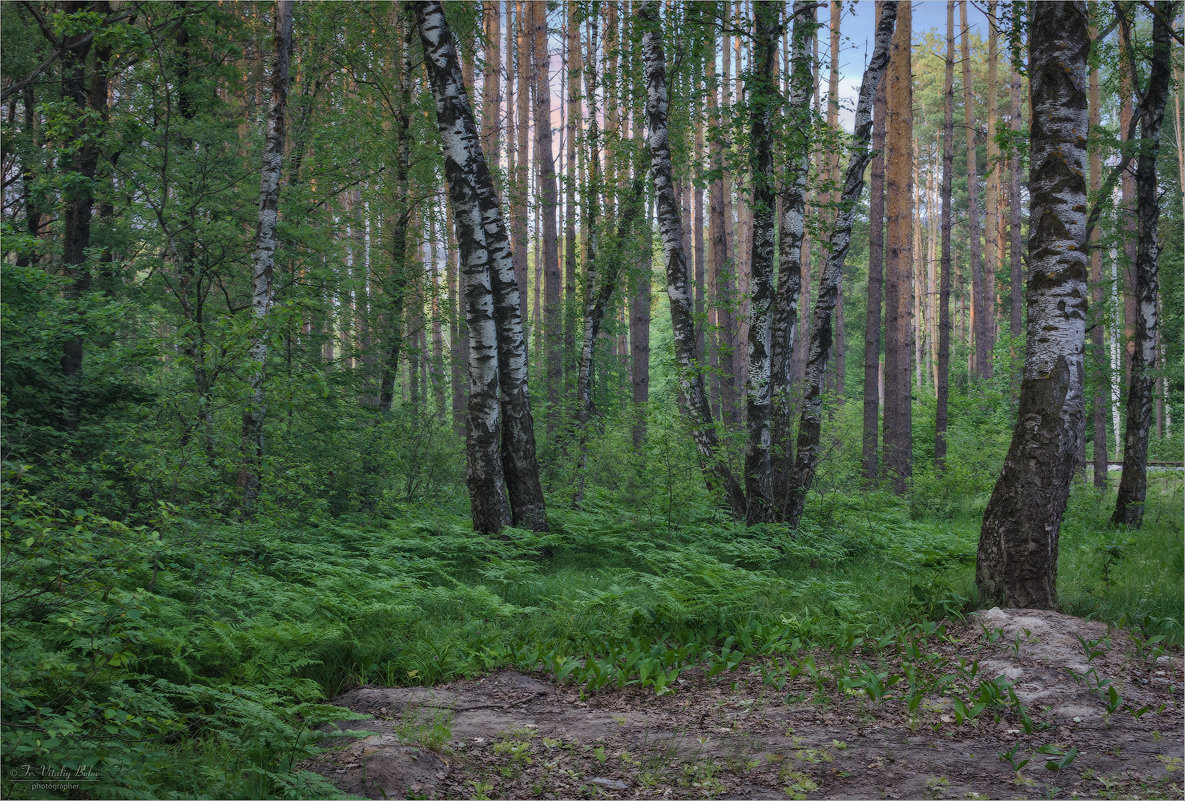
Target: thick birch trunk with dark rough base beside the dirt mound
1017,561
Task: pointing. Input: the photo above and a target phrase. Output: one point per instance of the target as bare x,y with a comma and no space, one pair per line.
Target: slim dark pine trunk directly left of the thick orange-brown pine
876,283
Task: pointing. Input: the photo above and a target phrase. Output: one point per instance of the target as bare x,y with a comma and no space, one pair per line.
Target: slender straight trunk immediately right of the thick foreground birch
1101,396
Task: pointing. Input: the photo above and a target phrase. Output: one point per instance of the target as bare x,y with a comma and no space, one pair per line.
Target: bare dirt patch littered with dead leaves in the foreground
1081,712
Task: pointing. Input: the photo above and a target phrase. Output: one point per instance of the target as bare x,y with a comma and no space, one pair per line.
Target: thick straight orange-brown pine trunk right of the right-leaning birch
899,284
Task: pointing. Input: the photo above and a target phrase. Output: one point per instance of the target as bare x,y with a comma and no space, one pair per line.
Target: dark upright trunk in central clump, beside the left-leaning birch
761,265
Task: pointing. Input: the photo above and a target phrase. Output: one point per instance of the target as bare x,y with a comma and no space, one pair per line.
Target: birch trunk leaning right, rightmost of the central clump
809,451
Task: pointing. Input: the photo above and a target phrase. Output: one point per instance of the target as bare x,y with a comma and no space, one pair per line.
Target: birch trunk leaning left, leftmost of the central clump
683,321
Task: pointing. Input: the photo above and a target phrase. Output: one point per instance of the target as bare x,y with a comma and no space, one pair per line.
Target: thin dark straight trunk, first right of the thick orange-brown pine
949,134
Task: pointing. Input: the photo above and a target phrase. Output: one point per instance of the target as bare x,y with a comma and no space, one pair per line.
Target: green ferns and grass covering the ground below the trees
193,659
